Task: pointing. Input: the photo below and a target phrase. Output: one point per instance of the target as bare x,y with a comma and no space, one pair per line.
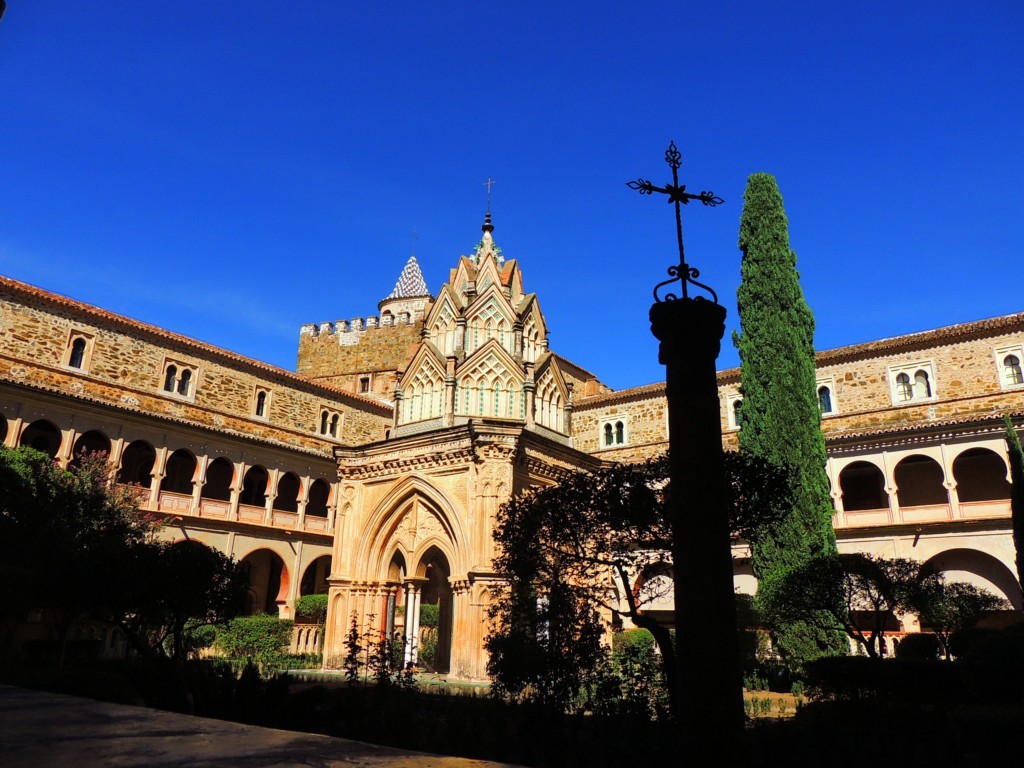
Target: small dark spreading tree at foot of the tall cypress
856,593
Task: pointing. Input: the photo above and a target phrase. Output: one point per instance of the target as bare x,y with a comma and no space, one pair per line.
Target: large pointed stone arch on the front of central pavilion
413,502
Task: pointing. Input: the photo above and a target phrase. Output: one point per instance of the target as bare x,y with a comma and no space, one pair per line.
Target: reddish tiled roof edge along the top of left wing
24,289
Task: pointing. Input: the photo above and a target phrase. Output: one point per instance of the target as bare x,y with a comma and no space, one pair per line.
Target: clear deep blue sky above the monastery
233,170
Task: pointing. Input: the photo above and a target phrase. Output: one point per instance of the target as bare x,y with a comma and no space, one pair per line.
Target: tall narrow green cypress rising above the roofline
781,416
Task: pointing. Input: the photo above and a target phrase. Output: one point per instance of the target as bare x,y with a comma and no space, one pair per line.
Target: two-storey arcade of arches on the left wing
261,499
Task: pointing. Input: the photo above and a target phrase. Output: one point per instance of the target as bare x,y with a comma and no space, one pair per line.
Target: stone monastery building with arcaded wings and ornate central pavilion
374,473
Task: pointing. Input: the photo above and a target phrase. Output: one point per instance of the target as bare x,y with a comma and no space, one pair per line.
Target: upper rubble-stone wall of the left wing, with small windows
125,364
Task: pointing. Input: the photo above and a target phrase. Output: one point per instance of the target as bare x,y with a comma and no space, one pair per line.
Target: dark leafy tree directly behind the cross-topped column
574,551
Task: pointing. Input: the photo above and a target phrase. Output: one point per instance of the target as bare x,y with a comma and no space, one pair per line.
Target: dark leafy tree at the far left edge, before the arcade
66,538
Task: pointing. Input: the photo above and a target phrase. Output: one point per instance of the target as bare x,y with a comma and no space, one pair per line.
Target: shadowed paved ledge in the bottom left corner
39,731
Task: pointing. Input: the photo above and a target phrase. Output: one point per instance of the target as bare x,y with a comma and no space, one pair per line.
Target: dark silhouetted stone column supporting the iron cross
709,698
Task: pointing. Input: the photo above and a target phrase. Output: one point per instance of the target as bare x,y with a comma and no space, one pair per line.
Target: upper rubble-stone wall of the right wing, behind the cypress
965,365
